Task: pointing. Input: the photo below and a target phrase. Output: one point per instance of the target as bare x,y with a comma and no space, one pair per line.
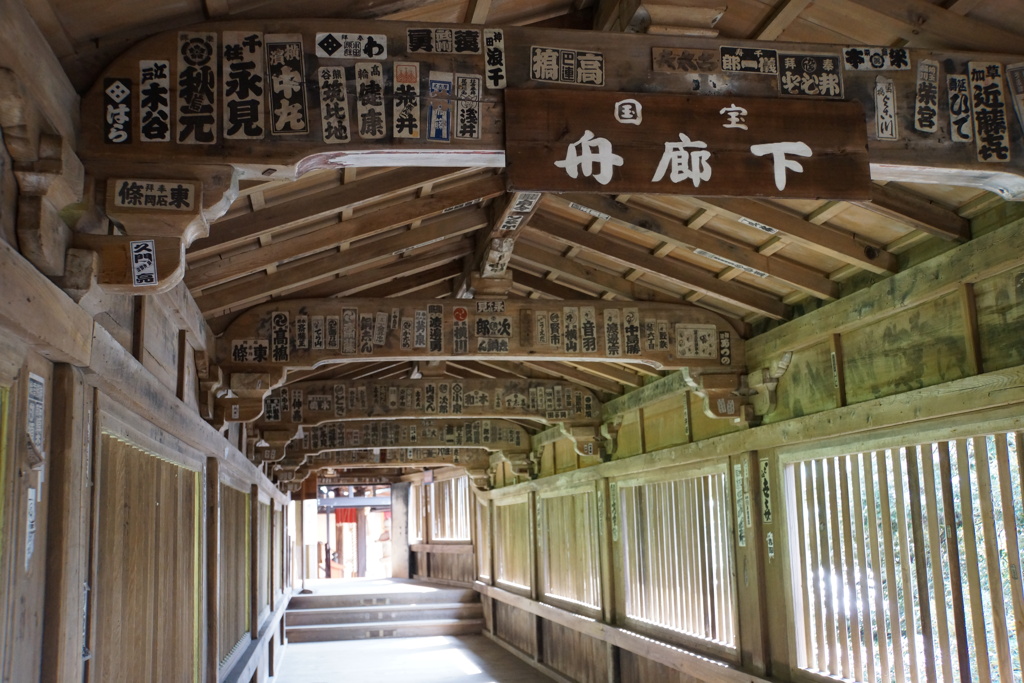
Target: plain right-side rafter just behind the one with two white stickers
734,293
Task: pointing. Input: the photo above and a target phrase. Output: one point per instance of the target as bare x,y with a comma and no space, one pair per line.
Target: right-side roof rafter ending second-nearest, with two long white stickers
680,235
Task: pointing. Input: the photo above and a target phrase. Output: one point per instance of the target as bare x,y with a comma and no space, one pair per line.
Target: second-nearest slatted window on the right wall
677,556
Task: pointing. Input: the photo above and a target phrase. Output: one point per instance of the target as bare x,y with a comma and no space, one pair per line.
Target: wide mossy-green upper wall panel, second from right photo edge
909,351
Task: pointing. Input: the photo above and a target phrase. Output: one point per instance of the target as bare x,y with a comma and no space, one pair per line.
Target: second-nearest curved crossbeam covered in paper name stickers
307,333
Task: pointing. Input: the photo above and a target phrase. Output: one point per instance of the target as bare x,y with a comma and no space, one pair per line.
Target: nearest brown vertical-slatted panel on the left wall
145,616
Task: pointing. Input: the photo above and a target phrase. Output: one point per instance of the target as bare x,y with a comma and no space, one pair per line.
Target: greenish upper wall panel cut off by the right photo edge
1001,320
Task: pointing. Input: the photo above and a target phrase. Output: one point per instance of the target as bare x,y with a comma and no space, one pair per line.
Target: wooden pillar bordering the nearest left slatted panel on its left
68,544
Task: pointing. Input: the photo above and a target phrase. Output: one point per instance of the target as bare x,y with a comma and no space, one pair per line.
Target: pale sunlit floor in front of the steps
430,660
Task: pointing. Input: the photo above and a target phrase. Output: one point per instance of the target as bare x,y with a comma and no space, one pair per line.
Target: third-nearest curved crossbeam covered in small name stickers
315,403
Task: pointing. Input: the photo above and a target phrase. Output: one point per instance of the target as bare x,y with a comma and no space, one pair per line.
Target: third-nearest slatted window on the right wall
569,542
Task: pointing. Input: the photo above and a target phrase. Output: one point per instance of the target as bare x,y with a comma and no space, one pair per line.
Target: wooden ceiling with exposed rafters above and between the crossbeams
387,233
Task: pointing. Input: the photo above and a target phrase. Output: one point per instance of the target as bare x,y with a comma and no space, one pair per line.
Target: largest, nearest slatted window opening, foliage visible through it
906,562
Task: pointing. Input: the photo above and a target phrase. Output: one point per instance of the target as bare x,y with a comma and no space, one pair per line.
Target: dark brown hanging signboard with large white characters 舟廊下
569,141
